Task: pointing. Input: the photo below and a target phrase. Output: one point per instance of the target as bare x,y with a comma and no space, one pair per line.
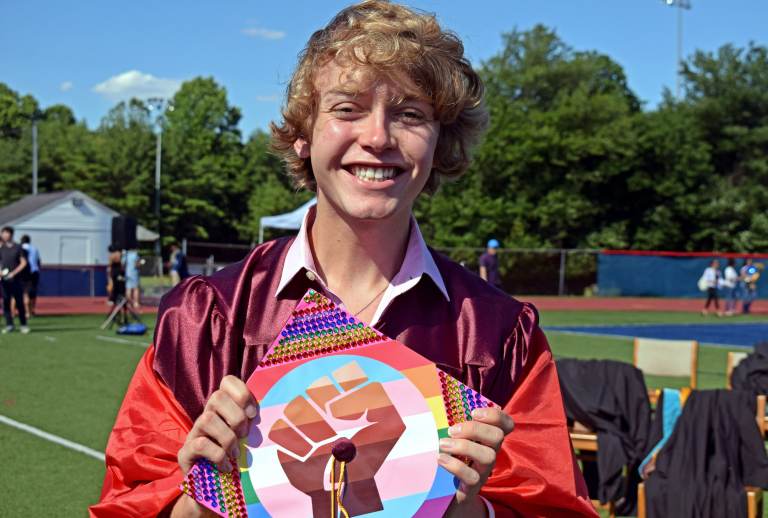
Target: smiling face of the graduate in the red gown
372,146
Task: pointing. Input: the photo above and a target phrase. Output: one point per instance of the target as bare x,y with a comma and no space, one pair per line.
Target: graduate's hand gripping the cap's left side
215,434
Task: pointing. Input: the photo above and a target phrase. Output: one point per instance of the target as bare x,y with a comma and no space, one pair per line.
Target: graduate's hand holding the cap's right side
478,440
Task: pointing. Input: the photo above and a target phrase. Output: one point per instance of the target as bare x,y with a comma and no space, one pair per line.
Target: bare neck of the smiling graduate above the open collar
357,258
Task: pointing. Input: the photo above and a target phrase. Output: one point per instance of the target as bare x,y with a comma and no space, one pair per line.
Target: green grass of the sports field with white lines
68,378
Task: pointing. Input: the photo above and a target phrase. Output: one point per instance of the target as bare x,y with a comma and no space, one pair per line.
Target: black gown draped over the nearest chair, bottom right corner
713,453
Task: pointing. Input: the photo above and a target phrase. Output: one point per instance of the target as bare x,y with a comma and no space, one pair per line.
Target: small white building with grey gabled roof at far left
68,227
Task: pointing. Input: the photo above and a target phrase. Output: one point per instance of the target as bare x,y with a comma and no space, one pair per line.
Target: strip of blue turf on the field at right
739,335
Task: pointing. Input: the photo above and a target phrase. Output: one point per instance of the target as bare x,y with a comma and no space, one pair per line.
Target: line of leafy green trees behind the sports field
571,158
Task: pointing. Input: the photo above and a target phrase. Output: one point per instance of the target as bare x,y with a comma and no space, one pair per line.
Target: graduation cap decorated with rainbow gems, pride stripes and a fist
349,425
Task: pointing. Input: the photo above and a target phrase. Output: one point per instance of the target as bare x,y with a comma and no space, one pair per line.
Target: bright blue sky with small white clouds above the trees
90,54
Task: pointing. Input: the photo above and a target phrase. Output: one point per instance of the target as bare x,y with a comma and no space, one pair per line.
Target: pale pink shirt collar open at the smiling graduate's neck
418,261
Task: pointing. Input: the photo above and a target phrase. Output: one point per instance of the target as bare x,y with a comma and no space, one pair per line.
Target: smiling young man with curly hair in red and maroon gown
382,105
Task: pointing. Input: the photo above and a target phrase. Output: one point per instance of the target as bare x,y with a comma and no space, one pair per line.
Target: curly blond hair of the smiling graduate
390,39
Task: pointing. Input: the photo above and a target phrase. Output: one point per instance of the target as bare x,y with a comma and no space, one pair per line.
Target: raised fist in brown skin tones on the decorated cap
308,432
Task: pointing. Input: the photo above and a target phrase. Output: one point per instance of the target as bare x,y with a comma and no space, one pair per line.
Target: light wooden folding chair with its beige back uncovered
678,358
